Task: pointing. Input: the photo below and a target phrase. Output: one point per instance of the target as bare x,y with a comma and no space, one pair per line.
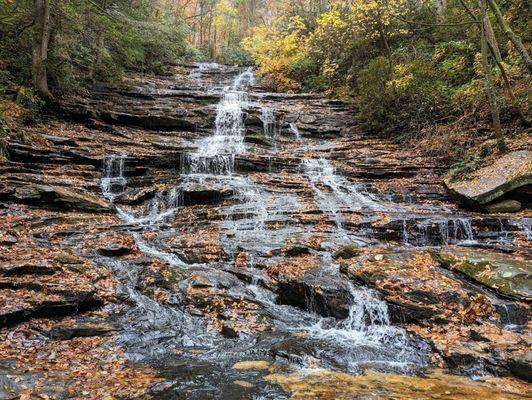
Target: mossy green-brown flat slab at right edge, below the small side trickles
509,275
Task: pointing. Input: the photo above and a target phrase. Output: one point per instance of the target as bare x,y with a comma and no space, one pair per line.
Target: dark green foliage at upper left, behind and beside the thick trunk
93,40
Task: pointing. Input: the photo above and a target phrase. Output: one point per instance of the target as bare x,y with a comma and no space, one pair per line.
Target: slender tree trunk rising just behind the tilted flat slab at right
490,91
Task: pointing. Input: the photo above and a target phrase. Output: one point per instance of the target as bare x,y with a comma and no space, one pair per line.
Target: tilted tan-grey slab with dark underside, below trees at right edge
486,184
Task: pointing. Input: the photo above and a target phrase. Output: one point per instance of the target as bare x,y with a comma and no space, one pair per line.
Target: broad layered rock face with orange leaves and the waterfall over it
201,222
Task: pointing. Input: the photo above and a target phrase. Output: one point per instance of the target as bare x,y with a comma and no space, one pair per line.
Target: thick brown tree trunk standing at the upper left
40,48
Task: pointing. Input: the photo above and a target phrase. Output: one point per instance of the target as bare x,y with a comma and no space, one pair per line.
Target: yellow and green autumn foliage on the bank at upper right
406,66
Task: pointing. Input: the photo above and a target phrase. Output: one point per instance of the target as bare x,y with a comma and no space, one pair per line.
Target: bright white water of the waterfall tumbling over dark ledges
368,322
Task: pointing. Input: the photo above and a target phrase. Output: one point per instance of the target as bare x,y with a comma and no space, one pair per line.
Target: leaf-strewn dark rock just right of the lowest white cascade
416,290
